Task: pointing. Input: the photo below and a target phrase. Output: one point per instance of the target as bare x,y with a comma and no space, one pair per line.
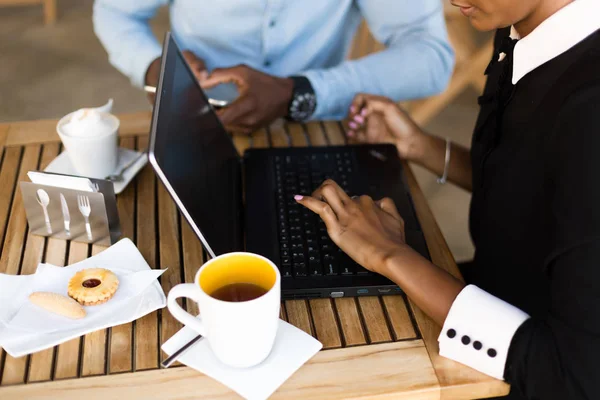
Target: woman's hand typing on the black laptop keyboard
370,232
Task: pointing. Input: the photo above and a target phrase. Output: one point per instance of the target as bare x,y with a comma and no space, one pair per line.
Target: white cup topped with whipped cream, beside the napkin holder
93,152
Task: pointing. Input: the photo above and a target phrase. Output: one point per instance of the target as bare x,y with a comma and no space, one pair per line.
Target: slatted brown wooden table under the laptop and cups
374,347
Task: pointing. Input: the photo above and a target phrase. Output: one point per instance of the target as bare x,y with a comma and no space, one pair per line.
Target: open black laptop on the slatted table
245,202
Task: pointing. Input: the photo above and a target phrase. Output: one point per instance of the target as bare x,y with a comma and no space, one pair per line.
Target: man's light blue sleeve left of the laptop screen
122,27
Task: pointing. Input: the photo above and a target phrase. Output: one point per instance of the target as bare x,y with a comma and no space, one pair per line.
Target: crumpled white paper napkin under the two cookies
25,328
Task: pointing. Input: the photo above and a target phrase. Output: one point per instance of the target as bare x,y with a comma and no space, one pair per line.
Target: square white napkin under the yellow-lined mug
293,347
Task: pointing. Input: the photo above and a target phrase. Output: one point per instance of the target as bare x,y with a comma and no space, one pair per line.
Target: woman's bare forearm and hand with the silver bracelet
375,119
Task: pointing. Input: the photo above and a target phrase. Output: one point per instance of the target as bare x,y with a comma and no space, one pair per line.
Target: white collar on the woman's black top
557,34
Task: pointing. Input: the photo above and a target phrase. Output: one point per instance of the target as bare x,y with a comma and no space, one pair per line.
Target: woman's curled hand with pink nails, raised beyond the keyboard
376,119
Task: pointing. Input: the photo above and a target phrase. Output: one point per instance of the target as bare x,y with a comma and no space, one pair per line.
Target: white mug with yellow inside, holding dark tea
240,334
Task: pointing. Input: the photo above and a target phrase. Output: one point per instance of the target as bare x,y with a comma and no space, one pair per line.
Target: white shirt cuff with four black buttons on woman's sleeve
479,329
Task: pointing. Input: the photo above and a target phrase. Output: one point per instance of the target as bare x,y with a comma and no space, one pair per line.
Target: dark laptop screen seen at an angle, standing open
195,157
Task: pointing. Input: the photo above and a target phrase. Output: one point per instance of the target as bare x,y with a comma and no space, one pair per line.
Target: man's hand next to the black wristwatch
263,98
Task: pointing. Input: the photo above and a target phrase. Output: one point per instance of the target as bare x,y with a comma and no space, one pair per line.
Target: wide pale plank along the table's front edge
333,374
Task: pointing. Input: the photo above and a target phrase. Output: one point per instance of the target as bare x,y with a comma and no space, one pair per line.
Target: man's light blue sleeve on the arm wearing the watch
417,61
